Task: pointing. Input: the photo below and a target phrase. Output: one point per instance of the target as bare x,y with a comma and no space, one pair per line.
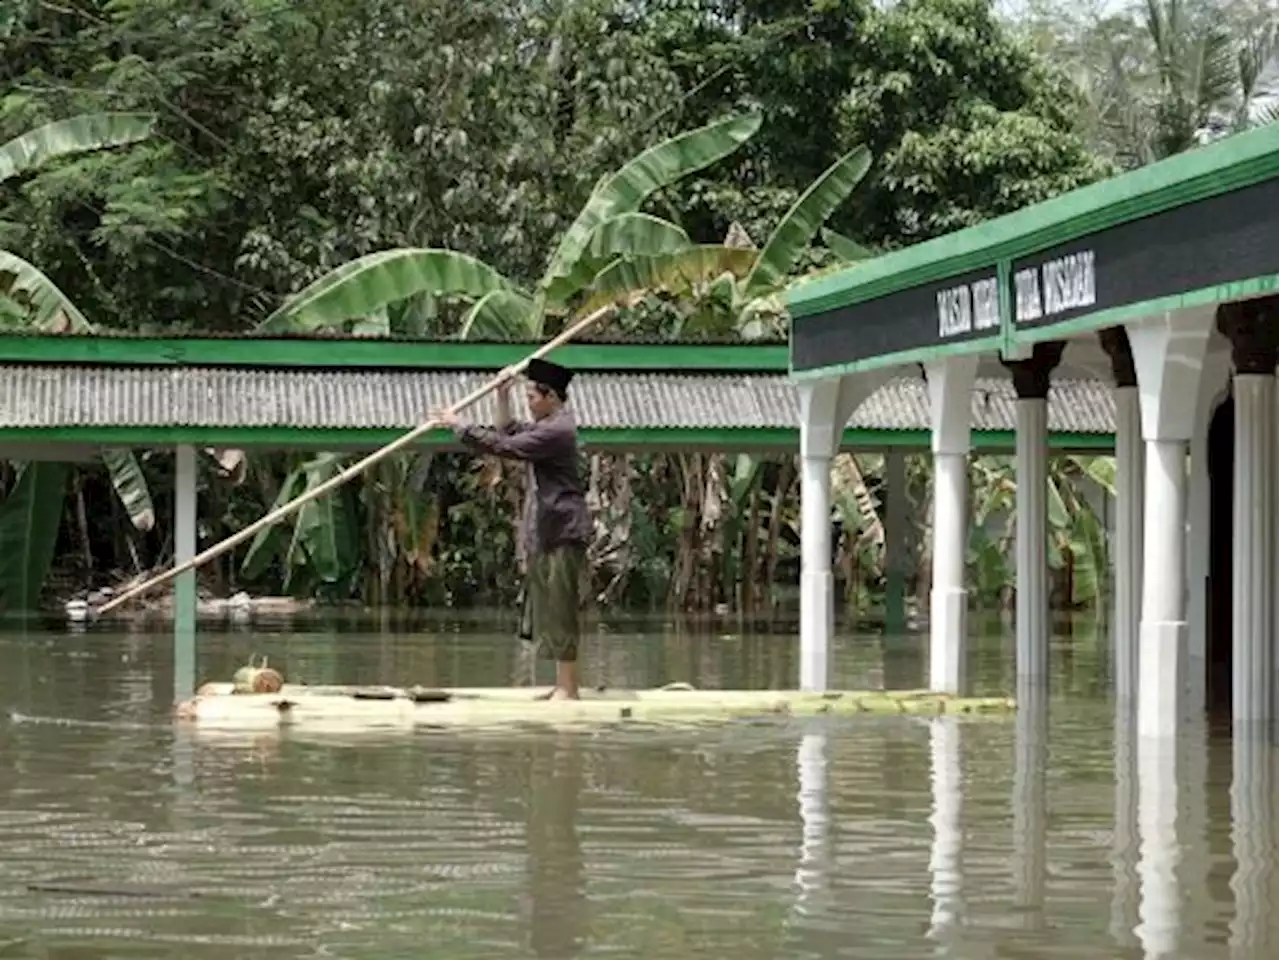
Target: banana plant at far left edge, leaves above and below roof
30,300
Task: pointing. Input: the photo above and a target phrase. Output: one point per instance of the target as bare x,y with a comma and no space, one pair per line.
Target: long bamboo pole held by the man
355,469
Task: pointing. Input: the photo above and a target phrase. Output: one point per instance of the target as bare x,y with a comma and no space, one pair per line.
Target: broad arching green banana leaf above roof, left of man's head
362,287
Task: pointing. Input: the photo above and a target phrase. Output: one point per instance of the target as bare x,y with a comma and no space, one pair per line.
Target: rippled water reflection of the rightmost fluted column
1255,812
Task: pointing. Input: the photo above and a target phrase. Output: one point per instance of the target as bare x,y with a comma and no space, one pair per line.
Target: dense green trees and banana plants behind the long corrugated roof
477,170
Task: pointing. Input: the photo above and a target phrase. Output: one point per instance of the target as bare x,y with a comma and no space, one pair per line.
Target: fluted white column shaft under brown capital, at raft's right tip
1032,545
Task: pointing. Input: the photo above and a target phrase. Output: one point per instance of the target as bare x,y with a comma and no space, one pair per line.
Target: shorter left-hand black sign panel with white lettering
948,312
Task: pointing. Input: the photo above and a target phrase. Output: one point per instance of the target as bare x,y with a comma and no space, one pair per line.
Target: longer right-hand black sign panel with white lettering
1210,243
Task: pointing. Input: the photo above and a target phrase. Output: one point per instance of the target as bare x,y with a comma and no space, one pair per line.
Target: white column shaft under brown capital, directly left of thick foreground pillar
1131,481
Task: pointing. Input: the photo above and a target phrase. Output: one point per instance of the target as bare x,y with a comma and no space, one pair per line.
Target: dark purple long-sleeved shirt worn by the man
556,513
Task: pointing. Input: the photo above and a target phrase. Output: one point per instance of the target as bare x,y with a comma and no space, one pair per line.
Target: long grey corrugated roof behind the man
48,396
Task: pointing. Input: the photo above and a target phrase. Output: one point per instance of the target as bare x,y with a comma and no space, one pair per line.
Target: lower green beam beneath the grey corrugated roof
705,438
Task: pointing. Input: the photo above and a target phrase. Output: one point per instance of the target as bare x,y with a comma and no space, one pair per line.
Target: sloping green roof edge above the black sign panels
1235,163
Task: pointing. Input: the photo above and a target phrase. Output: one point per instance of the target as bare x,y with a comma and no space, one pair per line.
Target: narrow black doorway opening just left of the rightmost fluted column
1218,630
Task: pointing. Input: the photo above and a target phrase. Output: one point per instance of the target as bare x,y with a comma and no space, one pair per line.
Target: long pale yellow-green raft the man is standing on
353,708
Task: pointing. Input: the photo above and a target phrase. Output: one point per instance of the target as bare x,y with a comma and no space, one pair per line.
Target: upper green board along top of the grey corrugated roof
327,354
